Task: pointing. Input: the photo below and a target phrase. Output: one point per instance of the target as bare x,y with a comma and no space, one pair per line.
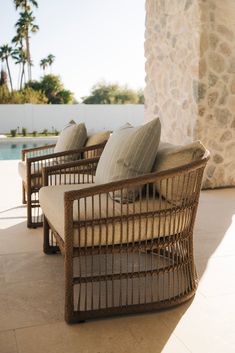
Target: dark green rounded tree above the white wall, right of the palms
52,87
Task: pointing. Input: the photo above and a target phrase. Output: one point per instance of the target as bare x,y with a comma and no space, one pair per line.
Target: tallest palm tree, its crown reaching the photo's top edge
25,25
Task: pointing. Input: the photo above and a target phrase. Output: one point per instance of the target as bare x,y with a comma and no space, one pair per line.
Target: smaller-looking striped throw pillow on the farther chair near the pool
71,137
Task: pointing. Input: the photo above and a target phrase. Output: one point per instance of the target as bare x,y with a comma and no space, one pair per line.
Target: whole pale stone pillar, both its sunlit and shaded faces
190,76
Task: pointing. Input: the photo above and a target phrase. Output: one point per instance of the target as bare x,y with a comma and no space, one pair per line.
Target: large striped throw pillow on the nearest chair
129,152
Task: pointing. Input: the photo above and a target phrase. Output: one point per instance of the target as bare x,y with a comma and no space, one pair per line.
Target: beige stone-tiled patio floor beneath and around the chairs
31,304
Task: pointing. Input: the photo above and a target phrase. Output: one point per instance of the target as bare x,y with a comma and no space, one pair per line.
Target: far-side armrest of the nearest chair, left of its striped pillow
75,169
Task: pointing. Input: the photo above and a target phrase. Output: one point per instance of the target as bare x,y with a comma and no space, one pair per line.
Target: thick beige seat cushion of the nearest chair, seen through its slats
52,203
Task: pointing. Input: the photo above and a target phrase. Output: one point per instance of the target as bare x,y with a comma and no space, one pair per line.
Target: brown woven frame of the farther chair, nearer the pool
34,158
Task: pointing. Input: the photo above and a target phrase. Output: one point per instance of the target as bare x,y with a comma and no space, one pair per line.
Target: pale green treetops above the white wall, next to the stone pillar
103,93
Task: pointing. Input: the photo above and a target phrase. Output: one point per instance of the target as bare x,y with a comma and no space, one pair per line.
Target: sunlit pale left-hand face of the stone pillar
171,47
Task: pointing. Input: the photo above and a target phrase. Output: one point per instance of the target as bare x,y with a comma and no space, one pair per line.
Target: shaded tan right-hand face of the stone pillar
216,119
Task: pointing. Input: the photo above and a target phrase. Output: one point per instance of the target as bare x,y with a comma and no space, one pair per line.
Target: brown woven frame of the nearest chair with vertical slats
176,249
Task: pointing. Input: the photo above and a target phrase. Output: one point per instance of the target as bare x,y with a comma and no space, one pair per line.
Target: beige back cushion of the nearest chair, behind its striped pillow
172,156
